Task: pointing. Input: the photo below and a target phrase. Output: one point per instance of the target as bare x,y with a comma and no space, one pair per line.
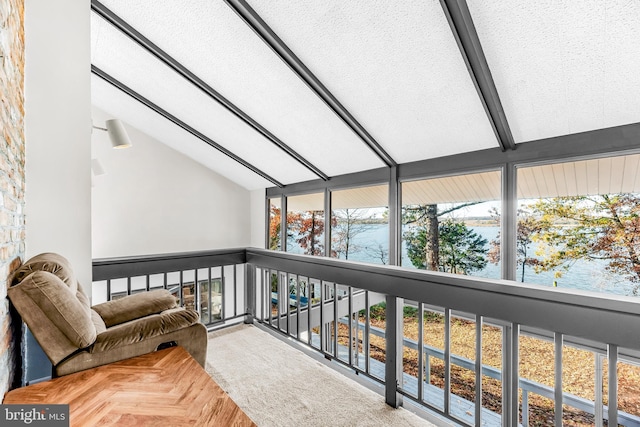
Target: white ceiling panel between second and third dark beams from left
210,40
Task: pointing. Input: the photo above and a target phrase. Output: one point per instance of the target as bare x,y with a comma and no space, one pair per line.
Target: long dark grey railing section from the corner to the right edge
584,319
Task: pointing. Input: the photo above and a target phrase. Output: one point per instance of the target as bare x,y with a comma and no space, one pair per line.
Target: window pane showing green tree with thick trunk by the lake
452,224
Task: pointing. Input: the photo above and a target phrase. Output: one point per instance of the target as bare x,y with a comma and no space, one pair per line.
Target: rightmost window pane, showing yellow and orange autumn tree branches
578,225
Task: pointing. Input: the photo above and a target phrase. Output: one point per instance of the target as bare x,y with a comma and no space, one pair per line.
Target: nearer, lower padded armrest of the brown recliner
144,328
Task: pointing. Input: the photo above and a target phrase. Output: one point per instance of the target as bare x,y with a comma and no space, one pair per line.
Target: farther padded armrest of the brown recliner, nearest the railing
135,306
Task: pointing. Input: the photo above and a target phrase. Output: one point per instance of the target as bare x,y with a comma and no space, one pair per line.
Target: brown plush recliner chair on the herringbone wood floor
76,336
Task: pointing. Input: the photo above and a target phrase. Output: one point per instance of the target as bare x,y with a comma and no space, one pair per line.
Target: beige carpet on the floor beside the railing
278,385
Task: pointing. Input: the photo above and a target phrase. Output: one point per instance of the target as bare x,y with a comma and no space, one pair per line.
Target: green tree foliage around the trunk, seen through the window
461,250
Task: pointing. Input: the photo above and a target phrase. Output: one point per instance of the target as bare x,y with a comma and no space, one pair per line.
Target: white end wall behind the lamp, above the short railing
153,199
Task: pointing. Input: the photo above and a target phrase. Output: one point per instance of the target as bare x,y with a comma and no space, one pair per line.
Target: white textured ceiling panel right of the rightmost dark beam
562,66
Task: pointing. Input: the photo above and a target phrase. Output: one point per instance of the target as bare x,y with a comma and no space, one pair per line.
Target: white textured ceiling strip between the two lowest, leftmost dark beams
130,64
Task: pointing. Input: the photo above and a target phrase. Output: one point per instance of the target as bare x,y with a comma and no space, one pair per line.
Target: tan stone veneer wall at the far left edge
12,175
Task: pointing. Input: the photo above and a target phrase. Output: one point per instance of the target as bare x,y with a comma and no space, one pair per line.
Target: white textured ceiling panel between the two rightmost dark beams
394,65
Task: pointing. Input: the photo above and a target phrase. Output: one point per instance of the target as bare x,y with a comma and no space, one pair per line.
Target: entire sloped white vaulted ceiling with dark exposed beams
275,92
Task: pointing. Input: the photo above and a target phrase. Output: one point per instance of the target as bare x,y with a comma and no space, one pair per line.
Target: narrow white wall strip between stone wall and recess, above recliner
57,131
